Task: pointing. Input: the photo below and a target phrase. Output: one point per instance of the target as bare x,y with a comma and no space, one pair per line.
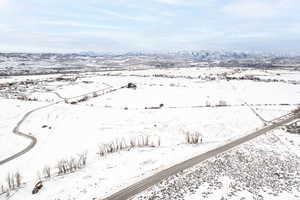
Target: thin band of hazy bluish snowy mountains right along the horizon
201,55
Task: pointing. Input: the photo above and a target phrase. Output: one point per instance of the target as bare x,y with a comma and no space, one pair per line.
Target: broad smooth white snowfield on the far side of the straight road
190,103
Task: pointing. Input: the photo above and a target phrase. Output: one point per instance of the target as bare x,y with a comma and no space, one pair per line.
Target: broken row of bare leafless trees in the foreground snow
65,166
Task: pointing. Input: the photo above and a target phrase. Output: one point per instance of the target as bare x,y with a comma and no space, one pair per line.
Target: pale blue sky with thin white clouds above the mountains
149,25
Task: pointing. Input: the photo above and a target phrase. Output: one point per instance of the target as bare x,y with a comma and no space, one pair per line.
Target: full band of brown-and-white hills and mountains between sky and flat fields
42,63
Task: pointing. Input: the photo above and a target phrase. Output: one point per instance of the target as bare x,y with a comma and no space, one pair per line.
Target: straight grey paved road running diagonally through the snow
142,185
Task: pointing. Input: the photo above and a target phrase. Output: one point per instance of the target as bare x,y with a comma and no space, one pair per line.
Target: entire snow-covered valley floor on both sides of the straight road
96,109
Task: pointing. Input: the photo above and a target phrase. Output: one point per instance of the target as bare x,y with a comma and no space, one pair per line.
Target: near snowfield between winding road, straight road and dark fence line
62,141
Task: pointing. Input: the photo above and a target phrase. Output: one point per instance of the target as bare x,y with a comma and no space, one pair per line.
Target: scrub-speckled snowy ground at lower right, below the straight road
266,168
